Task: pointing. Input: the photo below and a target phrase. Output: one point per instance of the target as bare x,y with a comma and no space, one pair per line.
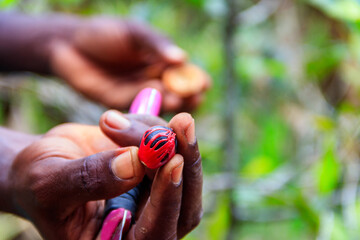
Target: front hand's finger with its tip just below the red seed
160,215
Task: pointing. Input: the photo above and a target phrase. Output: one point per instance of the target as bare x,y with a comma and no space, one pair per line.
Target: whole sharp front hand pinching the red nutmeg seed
60,181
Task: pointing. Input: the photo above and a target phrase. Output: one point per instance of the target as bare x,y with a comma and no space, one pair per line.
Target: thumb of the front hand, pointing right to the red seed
102,176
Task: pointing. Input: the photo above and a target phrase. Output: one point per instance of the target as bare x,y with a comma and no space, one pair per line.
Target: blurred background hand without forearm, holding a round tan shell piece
111,60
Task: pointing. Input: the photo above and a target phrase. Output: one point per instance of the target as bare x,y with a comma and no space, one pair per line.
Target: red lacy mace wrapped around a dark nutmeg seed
157,147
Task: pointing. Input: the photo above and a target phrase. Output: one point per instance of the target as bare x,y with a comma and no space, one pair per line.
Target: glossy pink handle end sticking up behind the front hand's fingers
148,101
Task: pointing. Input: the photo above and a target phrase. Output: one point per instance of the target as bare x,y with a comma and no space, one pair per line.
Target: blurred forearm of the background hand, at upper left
25,41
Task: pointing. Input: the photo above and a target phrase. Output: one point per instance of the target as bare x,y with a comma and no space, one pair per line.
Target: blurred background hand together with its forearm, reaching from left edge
107,60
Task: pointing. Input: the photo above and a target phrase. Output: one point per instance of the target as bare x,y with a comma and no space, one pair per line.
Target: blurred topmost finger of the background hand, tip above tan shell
156,43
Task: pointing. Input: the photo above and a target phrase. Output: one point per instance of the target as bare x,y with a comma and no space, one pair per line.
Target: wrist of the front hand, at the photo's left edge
11,143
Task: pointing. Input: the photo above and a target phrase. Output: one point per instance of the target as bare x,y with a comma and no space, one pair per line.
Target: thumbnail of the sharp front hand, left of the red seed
122,165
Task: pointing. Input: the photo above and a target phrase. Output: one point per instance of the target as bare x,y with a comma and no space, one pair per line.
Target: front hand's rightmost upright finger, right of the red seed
191,209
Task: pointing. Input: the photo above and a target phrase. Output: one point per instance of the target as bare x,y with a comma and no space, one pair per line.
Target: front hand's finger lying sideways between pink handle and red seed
127,130
